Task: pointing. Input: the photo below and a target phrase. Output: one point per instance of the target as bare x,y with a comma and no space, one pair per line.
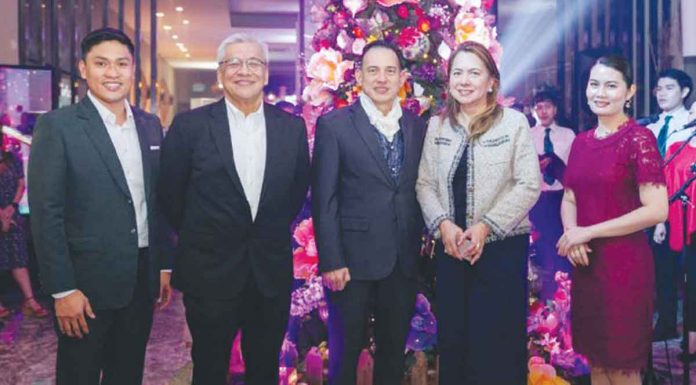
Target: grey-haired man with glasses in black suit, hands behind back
234,176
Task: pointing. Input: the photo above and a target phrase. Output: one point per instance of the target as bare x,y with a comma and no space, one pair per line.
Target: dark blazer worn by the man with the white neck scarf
362,218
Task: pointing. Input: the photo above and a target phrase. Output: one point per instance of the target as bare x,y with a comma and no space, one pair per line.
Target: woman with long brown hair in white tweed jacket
478,179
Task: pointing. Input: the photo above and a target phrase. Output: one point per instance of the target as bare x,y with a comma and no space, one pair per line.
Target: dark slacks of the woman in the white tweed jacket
482,315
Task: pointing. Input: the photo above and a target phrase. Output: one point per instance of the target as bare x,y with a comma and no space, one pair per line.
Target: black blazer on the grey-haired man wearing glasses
220,246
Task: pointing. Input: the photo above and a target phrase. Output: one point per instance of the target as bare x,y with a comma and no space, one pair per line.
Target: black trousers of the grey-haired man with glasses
214,324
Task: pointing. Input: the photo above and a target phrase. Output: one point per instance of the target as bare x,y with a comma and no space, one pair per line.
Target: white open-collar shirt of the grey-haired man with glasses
248,135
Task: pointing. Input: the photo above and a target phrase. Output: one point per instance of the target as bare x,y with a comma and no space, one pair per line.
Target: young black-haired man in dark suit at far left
92,178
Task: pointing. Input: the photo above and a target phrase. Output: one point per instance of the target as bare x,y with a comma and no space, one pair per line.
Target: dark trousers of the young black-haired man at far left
114,349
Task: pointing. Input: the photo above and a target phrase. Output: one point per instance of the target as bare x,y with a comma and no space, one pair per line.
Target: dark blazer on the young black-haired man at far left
82,216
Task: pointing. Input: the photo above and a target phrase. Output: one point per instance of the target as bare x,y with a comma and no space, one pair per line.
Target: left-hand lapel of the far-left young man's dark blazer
96,131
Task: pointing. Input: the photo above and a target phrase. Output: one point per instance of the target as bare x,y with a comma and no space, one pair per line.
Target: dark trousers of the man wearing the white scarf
392,300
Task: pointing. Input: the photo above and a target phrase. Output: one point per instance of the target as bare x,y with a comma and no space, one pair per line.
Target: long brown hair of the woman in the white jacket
485,120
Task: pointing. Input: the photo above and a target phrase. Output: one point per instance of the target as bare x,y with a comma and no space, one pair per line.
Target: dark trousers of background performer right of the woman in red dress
666,277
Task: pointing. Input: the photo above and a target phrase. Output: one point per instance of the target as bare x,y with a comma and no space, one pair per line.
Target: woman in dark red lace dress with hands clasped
615,188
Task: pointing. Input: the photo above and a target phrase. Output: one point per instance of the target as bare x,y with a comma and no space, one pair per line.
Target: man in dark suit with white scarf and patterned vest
367,219
